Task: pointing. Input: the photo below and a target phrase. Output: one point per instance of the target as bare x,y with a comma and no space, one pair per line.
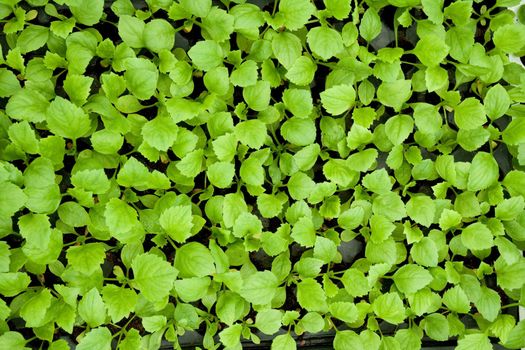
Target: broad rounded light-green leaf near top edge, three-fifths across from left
324,42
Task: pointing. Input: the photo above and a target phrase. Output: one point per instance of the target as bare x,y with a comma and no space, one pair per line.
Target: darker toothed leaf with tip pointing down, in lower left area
86,258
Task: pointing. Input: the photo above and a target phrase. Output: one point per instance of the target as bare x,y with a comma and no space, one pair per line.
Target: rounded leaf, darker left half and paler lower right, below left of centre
194,260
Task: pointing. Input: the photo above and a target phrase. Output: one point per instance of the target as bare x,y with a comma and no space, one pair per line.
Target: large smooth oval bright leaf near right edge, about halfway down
483,173
